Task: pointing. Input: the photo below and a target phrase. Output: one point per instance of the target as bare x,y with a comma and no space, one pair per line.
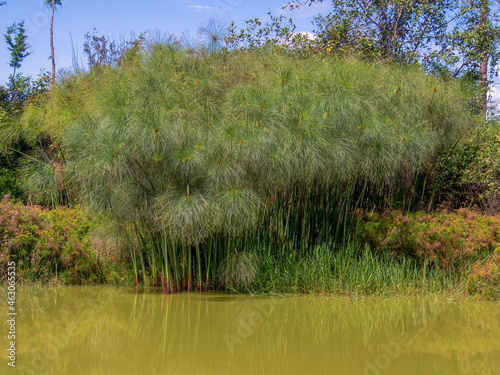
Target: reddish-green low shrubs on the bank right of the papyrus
448,240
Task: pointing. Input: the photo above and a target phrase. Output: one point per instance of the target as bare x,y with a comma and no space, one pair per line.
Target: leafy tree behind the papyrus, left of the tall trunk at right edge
398,29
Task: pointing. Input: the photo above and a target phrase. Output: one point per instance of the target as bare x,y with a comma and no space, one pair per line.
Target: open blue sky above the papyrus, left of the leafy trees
119,18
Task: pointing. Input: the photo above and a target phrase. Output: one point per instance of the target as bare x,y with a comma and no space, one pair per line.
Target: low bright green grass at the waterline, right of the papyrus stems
352,270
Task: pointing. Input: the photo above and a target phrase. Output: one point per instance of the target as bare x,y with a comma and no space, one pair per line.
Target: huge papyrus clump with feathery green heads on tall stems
203,158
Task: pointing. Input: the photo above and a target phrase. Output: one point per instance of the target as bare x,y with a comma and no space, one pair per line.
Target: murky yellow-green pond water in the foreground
110,331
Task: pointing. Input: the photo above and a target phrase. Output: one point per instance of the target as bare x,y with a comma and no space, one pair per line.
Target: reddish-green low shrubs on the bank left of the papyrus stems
47,245
